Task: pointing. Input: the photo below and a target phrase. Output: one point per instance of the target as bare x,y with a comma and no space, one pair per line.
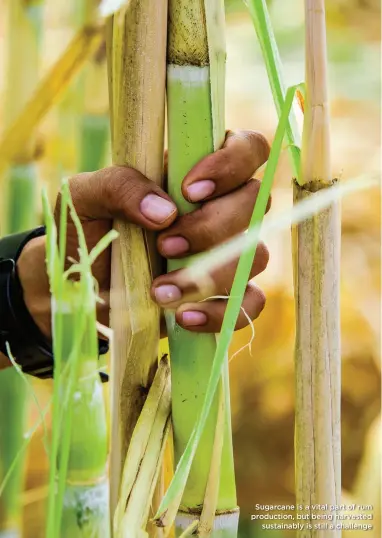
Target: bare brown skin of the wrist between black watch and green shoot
31,270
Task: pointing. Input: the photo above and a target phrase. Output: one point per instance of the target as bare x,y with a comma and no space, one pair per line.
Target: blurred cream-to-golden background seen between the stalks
262,382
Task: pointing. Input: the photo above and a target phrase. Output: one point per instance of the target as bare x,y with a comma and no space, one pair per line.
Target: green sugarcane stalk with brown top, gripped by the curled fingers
195,90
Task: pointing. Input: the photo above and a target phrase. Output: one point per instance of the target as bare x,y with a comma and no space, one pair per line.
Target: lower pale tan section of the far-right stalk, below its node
317,360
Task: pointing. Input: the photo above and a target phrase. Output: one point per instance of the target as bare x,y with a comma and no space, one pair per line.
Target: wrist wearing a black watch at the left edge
25,302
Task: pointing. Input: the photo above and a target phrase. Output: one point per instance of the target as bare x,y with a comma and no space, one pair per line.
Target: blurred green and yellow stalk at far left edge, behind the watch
23,28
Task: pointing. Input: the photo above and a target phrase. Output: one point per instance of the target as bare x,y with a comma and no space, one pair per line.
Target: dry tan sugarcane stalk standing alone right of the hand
317,261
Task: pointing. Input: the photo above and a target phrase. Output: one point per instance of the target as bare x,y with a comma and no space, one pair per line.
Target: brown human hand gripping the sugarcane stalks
221,183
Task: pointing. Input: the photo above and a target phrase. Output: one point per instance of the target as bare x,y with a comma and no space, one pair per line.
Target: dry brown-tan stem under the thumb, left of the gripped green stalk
136,57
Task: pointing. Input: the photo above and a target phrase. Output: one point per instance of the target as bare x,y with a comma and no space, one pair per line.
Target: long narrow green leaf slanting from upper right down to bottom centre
182,471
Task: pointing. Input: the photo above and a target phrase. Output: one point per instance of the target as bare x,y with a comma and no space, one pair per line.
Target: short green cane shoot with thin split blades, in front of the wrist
78,503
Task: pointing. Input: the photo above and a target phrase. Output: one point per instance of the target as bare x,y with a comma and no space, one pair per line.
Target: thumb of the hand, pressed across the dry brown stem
122,193
